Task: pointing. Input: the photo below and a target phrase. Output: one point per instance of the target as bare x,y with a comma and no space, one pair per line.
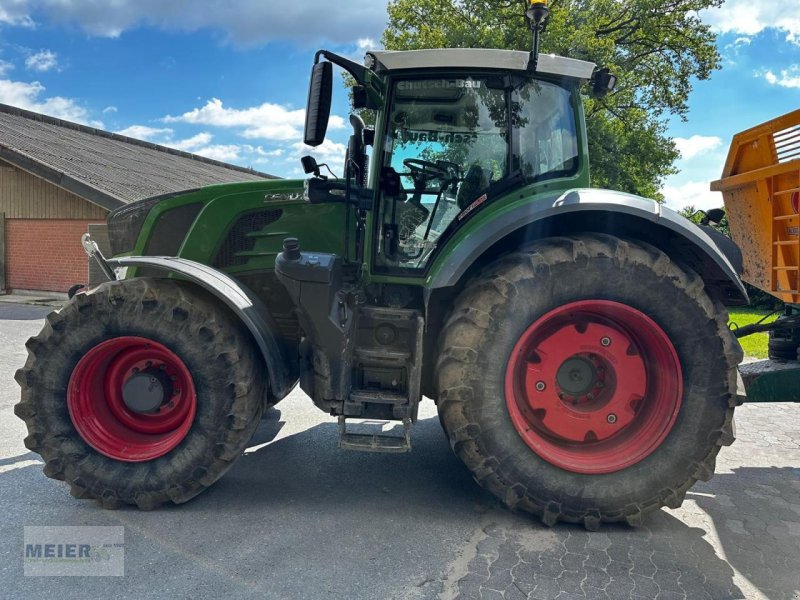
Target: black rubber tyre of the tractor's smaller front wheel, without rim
224,364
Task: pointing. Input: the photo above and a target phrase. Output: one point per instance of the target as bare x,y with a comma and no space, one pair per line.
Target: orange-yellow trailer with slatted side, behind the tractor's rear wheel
761,188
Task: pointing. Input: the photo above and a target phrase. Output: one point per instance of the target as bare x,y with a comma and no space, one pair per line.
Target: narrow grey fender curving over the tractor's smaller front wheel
243,302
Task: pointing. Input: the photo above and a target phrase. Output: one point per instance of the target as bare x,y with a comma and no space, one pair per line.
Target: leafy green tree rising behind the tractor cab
655,47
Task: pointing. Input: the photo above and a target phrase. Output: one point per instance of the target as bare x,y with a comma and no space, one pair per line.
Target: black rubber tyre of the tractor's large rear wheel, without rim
506,298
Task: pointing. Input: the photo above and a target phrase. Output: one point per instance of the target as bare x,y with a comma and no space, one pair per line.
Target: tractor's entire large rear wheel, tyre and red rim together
588,379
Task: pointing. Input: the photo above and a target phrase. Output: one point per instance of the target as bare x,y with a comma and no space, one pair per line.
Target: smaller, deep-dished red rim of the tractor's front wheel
107,423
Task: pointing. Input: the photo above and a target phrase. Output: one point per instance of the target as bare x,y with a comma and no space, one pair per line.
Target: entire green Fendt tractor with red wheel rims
574,340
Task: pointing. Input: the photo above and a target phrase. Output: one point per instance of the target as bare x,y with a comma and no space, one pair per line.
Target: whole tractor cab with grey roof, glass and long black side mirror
454,131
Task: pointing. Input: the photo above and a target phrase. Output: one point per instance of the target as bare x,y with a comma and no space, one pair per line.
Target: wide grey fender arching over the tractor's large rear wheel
601,211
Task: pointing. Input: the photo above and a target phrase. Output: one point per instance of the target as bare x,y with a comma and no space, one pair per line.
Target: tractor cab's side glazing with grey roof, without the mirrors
457,138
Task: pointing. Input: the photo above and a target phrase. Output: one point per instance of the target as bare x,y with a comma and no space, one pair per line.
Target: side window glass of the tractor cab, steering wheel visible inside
453,142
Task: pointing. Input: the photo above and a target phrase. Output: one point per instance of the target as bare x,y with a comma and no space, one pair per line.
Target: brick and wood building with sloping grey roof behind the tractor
58,178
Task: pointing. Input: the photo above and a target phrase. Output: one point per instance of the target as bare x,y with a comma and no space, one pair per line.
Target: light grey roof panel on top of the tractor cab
478,58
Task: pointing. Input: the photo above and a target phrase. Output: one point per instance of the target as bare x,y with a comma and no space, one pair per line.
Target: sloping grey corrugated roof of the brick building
105,168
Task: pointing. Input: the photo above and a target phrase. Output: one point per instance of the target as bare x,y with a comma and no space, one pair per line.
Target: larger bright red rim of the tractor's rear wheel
593,386
